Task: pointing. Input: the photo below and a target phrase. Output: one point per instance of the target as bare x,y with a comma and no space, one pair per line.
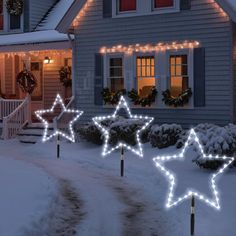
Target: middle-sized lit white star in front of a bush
108,150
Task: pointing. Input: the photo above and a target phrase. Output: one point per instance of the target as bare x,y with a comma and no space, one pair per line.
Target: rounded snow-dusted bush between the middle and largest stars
165,135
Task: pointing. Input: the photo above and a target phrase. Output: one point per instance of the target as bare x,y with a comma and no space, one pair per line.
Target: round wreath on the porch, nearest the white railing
26,80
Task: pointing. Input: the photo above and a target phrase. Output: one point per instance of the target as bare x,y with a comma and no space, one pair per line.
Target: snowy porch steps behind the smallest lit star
33,133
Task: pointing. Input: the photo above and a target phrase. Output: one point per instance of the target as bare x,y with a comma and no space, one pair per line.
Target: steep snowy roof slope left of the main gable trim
54,17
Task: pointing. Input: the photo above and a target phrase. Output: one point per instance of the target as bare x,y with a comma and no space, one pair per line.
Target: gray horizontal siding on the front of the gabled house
202,23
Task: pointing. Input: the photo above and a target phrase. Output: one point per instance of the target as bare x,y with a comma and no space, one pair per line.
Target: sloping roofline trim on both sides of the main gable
75,8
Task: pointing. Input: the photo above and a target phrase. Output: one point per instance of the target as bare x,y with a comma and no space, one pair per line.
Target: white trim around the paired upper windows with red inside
143,8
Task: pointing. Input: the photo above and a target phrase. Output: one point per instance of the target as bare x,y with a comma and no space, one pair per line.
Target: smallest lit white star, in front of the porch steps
71,136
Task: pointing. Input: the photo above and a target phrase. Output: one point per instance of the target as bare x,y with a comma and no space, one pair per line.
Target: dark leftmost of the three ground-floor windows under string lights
116,79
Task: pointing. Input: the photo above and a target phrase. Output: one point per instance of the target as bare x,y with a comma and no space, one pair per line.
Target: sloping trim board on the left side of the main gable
68,18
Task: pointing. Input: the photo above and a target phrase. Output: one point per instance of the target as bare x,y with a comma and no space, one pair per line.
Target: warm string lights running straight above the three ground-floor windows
149,48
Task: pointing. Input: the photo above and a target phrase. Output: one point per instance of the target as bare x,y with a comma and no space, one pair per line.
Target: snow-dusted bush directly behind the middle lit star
120,130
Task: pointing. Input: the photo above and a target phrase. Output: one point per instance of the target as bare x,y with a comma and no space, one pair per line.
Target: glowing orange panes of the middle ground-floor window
145,75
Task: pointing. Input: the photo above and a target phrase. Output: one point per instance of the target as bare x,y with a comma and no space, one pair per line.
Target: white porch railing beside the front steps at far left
15,115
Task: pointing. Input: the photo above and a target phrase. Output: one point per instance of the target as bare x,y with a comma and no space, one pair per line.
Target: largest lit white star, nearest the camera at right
215,201
